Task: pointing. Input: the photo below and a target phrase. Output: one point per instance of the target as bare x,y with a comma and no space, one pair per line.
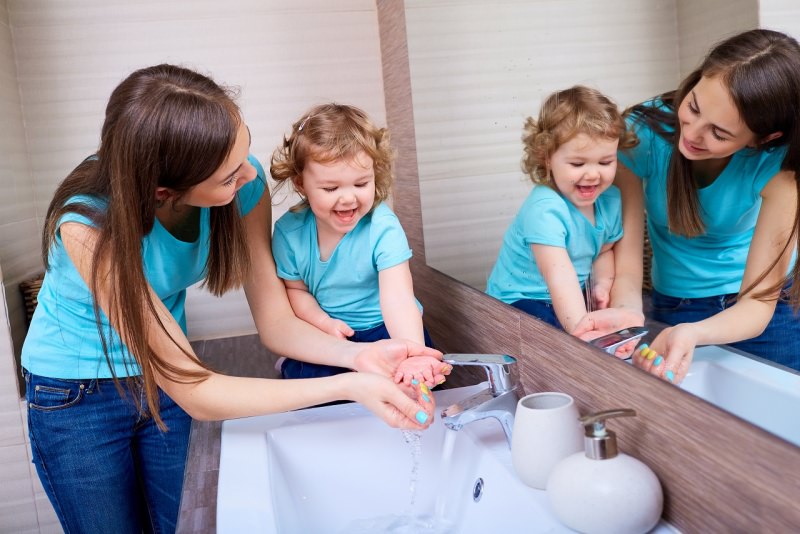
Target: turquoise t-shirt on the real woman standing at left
63,341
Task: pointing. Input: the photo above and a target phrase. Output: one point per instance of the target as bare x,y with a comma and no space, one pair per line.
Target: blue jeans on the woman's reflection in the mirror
780,342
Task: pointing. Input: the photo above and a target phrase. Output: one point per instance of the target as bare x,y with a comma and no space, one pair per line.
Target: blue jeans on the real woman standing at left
104,467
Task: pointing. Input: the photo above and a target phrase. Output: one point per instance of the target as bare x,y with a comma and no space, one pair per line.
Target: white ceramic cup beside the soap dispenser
546,430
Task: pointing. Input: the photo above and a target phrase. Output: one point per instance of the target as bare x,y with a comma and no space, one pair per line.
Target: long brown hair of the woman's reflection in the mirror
761,69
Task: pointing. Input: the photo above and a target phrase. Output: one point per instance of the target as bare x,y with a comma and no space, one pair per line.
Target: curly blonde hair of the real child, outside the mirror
330,132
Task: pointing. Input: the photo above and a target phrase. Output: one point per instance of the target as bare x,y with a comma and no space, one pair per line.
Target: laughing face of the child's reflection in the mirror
584,167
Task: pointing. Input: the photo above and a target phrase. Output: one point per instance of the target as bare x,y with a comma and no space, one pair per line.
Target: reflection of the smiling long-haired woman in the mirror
716,174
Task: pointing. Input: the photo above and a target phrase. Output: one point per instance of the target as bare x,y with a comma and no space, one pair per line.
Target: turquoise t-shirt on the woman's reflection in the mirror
713,263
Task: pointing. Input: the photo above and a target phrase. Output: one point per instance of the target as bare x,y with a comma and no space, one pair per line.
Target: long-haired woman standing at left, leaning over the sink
172,197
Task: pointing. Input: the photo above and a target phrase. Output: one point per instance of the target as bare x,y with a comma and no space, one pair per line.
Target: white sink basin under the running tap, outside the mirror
339,469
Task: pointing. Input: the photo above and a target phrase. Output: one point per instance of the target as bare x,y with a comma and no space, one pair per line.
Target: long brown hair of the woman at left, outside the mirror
165,126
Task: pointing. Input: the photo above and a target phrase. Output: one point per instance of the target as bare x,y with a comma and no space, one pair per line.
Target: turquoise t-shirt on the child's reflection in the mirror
547,218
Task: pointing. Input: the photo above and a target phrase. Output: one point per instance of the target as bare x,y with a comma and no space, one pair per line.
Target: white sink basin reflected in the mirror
756,391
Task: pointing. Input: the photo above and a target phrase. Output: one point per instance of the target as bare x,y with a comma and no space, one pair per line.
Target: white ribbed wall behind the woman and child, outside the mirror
284,56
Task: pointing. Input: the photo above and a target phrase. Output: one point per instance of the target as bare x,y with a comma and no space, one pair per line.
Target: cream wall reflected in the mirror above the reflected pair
478,70
